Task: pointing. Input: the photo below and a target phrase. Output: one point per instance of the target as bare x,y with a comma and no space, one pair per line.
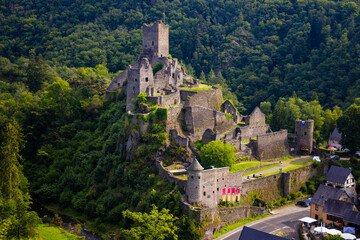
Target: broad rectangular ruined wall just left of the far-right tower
272,145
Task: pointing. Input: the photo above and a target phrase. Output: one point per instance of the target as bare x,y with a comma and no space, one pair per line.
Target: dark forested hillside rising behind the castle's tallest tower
264,49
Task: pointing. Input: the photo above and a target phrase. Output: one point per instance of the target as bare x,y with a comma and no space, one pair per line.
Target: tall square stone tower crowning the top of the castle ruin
156,39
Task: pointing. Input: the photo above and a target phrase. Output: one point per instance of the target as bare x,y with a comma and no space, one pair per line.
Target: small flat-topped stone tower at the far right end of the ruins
304,131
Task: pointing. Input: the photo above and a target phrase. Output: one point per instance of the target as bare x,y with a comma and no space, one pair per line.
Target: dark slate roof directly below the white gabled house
325,192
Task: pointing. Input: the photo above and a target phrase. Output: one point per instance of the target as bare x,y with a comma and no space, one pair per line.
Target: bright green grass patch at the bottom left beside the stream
52,232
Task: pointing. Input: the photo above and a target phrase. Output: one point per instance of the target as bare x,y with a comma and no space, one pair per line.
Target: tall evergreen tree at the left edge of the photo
16,220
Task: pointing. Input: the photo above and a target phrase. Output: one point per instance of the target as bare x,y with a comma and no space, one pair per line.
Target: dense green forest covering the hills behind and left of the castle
294,59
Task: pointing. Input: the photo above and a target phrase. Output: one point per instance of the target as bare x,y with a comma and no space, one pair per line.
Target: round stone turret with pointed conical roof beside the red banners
193,189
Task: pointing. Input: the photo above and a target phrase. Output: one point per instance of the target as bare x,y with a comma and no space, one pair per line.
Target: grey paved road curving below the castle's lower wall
283,220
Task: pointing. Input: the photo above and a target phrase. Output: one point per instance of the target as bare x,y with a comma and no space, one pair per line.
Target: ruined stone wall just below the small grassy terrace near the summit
211,99
